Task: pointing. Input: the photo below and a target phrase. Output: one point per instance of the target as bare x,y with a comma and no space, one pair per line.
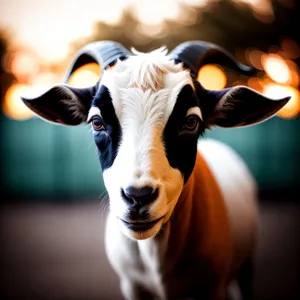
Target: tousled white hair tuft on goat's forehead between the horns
148,69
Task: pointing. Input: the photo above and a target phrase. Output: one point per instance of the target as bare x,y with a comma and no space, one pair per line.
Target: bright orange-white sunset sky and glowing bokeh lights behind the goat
38,60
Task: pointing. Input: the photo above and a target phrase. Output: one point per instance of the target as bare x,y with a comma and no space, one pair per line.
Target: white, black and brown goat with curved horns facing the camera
183,213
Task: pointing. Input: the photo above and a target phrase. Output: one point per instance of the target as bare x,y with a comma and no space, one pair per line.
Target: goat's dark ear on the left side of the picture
63,104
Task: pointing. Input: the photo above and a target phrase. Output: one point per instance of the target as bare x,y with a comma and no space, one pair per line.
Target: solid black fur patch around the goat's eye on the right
181,145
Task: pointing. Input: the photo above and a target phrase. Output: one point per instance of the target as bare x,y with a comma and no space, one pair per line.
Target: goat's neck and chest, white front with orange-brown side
193,256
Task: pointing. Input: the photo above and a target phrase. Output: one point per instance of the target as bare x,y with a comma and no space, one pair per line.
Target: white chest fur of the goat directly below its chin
138,262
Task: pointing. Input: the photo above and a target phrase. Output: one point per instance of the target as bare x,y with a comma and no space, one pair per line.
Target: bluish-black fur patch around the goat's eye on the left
107,140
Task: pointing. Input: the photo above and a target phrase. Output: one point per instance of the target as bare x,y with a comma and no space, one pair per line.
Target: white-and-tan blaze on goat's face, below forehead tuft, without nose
141,159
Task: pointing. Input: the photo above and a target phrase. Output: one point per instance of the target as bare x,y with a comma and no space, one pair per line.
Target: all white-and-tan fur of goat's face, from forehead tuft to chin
144,89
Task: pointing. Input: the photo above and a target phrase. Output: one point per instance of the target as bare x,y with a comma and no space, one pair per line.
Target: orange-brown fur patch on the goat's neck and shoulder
200,242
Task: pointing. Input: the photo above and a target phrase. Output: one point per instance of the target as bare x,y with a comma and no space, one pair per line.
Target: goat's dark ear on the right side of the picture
238,106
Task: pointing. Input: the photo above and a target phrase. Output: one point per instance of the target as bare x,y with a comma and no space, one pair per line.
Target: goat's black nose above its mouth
139,196
